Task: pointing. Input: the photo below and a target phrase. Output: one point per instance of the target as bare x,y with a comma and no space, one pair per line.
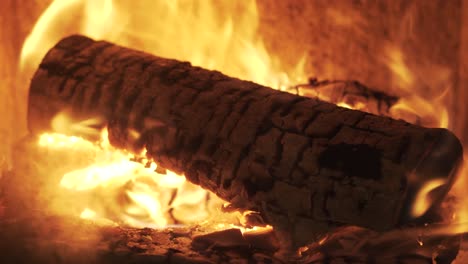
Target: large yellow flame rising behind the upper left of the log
215,34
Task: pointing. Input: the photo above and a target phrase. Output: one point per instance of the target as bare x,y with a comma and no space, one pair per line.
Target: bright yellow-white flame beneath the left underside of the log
118,190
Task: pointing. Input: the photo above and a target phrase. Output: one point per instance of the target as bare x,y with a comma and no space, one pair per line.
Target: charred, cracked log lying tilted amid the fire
307,166
